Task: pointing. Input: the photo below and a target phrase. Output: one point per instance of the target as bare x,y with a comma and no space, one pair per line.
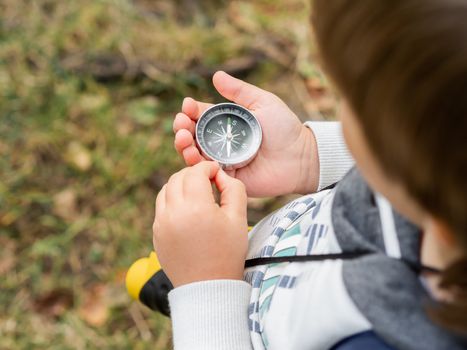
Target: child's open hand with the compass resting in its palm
287,161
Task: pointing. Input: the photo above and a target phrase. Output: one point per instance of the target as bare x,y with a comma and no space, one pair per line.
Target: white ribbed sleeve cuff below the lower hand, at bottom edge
211,315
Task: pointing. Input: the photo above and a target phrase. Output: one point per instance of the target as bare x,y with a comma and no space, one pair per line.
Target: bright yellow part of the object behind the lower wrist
139,273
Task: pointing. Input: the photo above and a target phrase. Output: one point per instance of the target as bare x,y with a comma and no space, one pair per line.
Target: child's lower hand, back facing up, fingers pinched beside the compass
195,238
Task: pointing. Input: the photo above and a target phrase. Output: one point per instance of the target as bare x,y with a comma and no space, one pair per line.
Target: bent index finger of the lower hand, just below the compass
197,181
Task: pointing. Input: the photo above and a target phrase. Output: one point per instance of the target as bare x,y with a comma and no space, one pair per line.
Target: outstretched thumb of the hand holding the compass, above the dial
240,92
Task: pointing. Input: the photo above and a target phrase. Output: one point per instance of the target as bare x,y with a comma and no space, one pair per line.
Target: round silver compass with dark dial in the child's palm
229,134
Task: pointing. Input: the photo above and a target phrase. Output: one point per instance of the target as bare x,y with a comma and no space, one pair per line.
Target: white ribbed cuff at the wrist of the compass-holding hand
334,157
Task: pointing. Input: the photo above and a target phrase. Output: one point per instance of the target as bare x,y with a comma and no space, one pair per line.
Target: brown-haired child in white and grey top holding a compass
401,67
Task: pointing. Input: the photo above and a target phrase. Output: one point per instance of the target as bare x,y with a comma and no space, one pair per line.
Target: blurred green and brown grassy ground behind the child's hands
88,90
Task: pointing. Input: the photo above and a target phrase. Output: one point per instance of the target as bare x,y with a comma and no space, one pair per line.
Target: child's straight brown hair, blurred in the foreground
402,67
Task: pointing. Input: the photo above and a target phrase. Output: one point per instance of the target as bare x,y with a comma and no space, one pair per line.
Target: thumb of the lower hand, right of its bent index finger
233,193
